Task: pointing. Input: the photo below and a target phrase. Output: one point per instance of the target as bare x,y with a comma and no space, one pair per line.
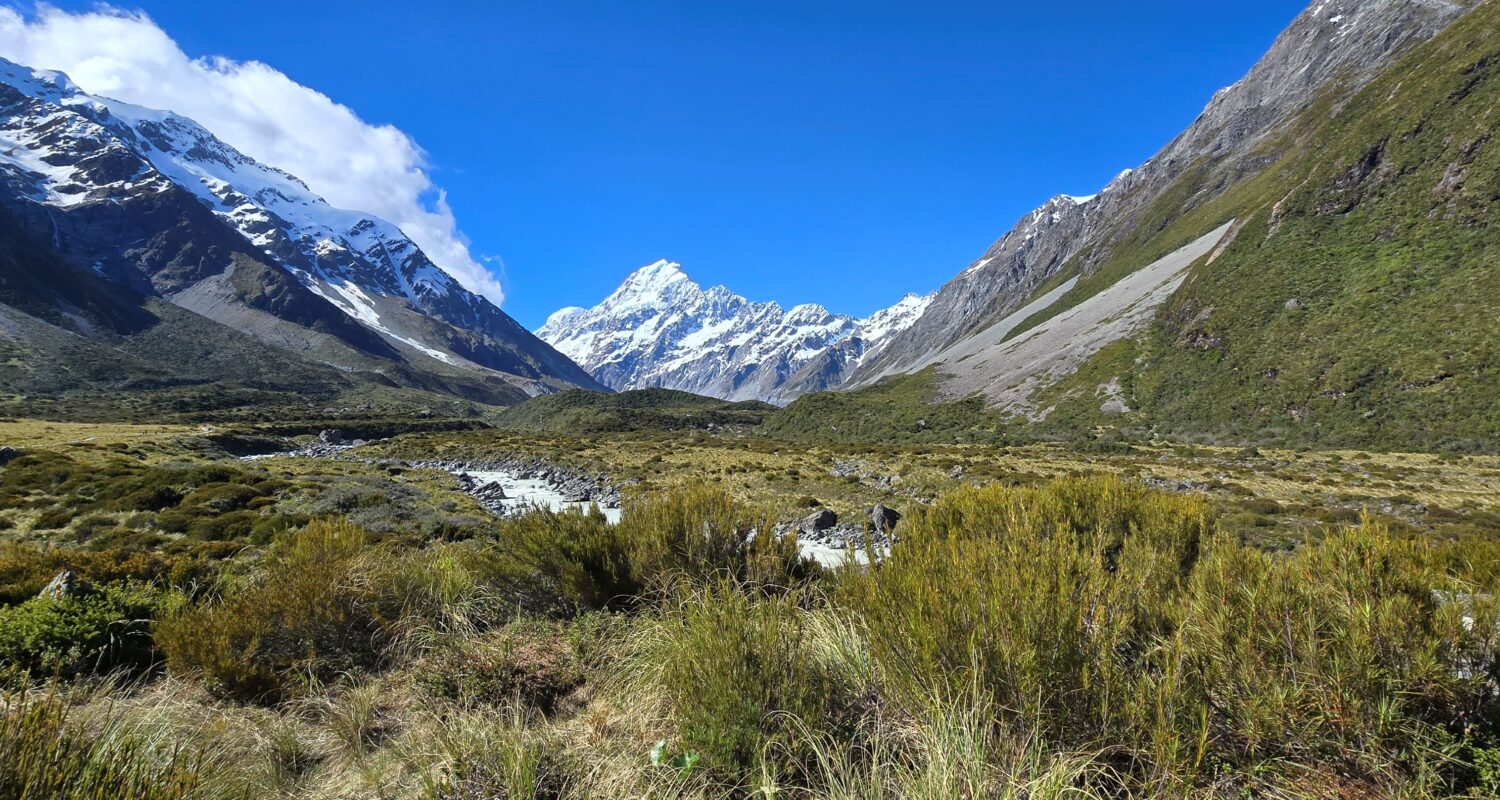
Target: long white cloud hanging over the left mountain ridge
374,169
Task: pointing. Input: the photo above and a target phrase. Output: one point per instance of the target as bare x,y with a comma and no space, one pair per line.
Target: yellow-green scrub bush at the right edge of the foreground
1358,651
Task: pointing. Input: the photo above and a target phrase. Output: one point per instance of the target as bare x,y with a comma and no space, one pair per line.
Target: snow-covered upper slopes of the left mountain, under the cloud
70,151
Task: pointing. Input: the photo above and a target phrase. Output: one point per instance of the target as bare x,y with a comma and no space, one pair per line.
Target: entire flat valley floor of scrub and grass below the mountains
1052,621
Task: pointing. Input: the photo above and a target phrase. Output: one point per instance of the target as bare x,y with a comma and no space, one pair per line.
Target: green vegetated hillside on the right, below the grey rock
1357,304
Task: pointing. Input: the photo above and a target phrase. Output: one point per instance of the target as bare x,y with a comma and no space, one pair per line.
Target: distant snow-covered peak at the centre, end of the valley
662,329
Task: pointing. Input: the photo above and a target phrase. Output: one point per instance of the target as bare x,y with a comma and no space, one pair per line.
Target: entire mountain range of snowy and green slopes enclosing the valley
1312,260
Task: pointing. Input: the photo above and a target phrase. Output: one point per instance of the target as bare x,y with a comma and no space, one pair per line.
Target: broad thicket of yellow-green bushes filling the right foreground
1105,616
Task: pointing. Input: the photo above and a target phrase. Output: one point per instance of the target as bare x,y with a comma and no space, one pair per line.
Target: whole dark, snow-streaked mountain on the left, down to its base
119,212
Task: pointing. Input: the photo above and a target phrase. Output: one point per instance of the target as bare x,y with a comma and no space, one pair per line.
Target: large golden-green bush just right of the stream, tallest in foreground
1046,597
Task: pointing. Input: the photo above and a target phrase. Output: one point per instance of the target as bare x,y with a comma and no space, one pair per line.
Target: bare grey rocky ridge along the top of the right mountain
1342,43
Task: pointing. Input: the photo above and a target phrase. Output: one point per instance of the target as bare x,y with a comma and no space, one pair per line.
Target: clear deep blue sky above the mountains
835,152
